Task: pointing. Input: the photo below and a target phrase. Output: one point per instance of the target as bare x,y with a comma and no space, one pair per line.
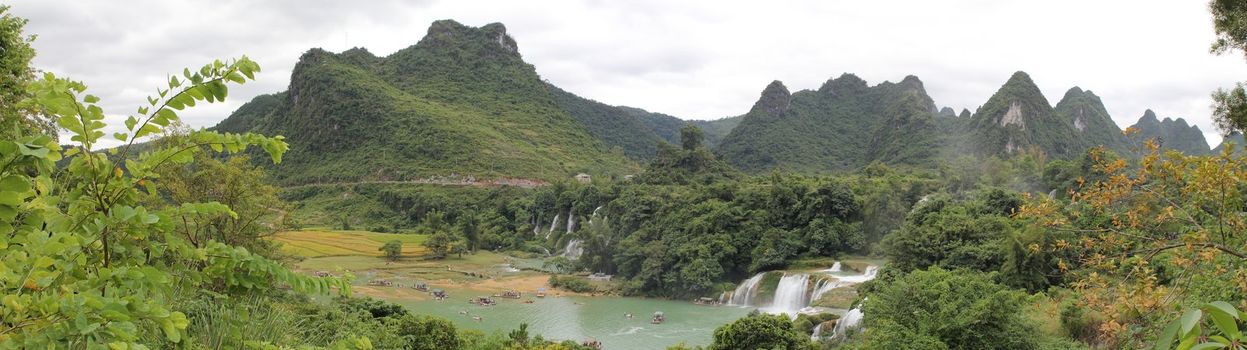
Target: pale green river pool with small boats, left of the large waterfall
579,318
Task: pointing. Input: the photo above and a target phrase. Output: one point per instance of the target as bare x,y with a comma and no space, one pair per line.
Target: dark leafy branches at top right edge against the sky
1230,22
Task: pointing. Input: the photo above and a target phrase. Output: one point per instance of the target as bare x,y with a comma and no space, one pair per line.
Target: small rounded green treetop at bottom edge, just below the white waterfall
760,332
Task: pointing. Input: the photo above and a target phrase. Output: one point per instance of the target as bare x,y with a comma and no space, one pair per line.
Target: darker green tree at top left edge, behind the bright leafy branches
16,77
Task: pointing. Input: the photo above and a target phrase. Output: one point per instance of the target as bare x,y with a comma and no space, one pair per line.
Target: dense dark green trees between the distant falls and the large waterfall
683,241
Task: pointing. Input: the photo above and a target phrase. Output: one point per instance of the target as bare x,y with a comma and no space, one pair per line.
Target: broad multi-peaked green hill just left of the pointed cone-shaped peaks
844,125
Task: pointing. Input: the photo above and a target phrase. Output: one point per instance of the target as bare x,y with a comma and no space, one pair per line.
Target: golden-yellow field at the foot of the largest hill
346,244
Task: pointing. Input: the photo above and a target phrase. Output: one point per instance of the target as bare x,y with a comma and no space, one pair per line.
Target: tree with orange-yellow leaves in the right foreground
1150,239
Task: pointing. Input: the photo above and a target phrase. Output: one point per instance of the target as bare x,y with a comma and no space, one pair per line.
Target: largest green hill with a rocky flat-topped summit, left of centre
462,102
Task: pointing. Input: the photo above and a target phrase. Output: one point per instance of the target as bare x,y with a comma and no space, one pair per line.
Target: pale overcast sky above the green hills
691,59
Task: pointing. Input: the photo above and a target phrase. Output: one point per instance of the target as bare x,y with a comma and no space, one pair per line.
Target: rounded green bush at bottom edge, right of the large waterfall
943,310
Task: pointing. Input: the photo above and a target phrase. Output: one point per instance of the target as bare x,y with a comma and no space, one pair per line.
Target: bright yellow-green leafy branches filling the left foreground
85,261
